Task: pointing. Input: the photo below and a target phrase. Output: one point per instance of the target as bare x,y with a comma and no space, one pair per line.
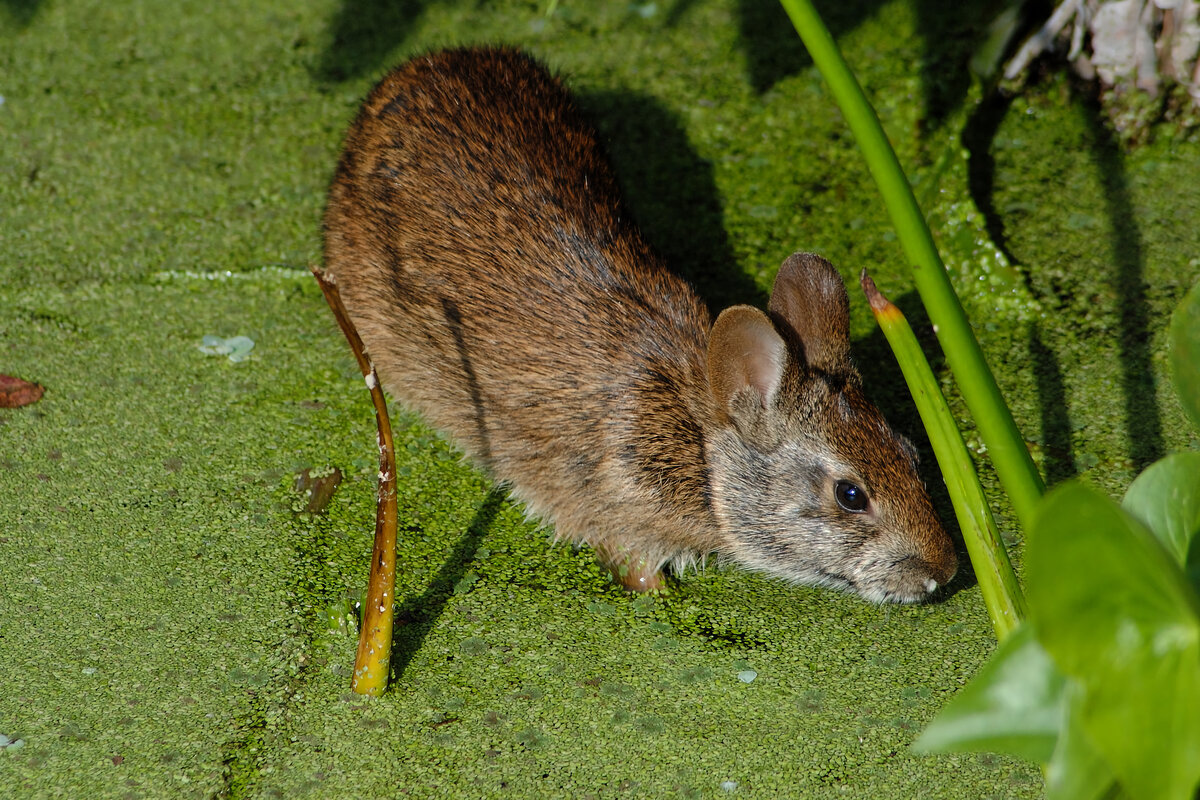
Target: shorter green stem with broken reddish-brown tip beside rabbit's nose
998,582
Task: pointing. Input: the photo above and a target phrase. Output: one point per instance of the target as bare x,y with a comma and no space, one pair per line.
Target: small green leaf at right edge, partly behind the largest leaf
1167,500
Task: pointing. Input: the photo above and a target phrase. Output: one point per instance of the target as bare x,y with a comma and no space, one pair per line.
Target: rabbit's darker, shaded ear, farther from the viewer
811,300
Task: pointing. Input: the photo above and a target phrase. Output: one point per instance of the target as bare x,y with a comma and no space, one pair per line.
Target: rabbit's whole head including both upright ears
809,483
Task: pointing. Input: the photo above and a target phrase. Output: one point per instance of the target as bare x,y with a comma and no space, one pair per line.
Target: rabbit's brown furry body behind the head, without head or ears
478,238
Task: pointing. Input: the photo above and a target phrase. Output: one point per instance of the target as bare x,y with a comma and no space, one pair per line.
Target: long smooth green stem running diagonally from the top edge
1006,447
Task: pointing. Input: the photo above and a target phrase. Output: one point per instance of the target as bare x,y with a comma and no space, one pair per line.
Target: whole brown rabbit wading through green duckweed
479,242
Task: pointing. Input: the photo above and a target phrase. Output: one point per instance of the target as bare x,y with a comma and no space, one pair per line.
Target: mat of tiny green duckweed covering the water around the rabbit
169,621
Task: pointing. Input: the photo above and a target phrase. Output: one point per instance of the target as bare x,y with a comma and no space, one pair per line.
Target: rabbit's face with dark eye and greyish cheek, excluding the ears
836,502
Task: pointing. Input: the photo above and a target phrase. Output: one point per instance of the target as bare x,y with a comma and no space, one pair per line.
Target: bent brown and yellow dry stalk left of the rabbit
374,660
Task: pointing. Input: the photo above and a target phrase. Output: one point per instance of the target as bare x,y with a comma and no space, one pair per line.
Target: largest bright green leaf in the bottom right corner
1114,611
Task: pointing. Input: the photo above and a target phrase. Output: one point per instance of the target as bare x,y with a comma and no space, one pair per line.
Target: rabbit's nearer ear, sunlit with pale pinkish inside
746,365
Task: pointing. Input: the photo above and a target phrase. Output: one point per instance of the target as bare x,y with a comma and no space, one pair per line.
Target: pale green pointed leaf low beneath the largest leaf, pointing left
1013,706
